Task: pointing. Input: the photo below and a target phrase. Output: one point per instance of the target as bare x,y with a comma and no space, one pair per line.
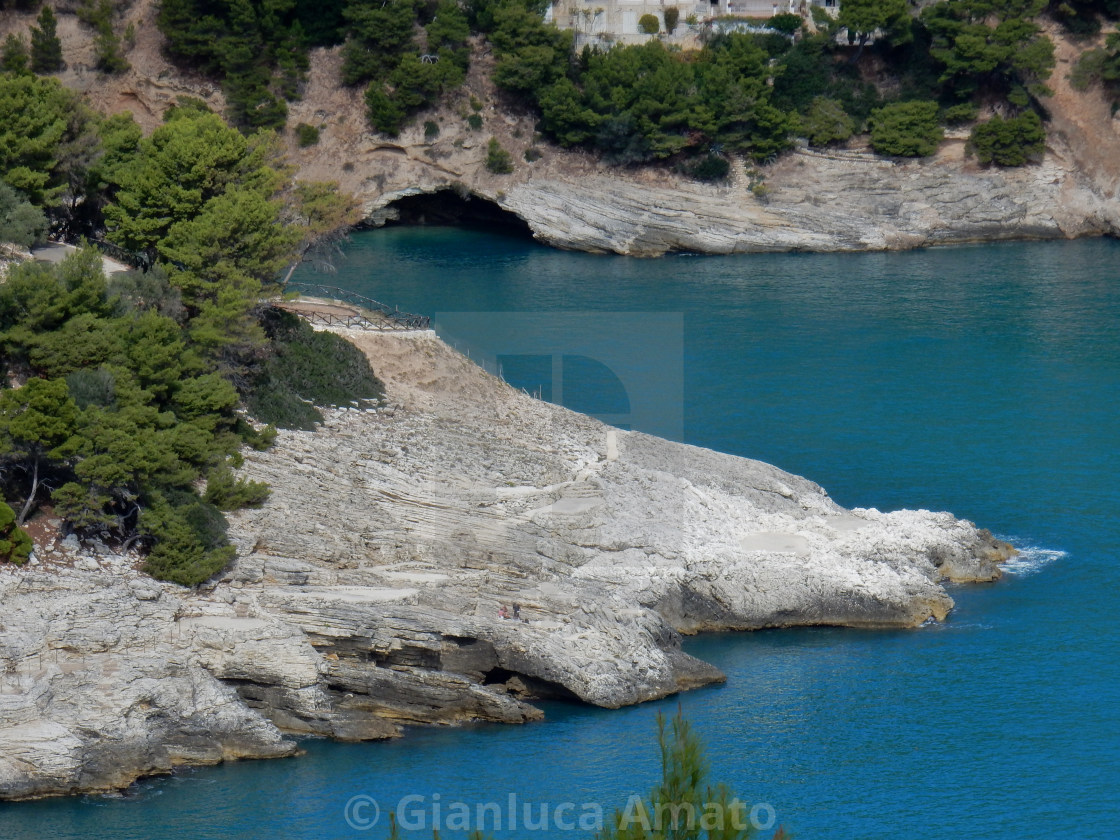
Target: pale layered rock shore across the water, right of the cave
819,203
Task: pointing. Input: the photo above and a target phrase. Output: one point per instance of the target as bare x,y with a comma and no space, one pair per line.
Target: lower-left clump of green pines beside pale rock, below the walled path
118,408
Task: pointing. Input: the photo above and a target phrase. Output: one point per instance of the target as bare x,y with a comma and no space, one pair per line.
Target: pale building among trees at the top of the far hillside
618,21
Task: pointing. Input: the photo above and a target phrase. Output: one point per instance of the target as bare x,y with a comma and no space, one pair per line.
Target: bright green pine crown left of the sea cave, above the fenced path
206,200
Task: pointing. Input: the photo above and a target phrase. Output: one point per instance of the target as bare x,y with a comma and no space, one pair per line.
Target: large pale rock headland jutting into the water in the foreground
368,590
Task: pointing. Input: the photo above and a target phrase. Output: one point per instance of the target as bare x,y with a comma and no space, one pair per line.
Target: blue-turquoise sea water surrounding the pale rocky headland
981,380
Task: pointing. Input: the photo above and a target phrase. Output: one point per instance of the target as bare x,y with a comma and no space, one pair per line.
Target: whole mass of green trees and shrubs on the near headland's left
125,399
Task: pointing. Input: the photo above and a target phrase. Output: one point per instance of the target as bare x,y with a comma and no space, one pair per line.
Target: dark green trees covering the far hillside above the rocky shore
751,95
